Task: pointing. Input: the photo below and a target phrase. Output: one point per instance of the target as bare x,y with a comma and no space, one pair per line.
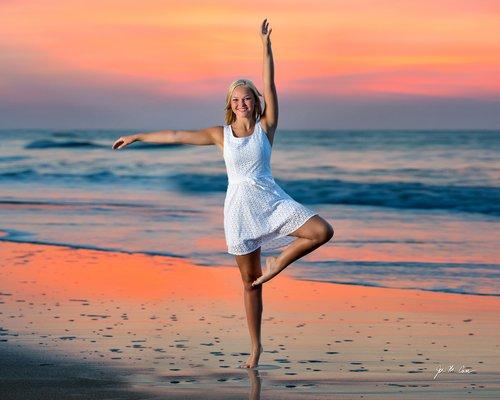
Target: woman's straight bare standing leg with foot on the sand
249,265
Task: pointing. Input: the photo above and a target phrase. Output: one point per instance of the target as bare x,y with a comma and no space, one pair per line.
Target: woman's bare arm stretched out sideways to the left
202,137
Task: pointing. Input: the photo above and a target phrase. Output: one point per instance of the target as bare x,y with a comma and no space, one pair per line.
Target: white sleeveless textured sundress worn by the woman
257,212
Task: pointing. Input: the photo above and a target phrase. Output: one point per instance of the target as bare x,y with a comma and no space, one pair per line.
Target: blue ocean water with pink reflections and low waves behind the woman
410,209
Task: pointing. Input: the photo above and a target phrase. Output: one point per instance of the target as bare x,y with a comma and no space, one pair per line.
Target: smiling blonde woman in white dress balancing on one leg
258,214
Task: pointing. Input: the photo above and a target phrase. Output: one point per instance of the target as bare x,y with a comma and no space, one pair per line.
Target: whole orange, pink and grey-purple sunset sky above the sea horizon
167,64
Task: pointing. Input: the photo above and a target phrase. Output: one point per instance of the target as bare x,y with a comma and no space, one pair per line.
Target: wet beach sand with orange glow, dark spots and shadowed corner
79,323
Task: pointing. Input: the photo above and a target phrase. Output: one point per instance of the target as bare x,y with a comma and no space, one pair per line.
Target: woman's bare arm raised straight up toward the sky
270,96
